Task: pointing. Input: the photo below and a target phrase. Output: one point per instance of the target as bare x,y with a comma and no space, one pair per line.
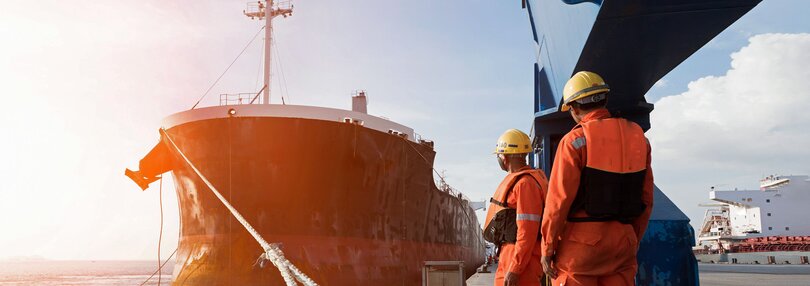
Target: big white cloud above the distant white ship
734,128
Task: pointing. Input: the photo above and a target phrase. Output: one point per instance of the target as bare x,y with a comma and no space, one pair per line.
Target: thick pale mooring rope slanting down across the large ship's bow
288,271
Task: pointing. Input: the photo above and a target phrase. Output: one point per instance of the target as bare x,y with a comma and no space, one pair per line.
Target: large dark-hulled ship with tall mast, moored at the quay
350,198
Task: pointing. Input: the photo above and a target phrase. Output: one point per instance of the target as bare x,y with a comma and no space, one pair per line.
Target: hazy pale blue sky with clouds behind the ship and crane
87,83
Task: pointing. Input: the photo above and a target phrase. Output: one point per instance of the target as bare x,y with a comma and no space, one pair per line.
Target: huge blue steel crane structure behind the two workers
632,44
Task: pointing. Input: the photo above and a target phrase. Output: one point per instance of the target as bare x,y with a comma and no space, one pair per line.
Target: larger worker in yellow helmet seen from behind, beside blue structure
600,195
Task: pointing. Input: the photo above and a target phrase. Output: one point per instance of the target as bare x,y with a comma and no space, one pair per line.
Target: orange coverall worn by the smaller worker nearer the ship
523,257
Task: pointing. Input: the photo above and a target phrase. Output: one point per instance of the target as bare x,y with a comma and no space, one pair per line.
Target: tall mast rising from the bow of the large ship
260,10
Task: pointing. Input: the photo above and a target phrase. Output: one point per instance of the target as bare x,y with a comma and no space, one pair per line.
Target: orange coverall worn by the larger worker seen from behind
590,253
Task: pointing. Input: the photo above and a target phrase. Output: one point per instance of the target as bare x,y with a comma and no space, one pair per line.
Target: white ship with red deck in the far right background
765,226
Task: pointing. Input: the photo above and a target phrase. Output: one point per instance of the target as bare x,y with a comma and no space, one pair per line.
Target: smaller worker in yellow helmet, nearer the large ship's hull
513,219
